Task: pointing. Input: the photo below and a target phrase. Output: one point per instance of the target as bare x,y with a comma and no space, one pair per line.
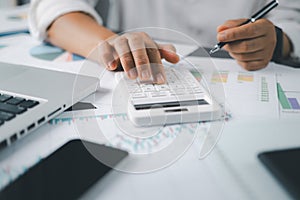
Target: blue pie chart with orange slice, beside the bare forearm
51,53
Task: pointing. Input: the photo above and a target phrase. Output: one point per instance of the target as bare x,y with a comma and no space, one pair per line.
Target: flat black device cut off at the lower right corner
285,166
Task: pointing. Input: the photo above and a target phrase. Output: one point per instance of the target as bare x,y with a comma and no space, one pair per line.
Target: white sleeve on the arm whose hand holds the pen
287,17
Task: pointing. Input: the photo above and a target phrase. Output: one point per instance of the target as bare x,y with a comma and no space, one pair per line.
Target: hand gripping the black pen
252,45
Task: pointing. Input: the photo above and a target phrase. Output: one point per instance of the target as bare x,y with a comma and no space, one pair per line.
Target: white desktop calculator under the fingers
182,99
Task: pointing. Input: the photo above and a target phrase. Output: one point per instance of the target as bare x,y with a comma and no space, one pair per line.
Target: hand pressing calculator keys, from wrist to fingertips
138,54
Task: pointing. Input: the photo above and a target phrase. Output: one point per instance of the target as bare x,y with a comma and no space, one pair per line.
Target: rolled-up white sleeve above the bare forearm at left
43,12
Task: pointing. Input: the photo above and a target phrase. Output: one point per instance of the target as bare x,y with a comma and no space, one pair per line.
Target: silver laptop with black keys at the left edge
30,97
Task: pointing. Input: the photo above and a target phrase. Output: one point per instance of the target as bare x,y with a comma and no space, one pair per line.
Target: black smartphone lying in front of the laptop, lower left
66,174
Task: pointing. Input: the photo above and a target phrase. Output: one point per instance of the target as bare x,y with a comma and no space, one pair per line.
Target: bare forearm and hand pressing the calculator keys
139,55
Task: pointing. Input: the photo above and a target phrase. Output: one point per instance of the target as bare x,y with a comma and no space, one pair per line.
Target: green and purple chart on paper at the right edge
288,100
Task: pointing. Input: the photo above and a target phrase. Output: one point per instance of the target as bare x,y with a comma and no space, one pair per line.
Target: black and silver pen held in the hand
259,14
